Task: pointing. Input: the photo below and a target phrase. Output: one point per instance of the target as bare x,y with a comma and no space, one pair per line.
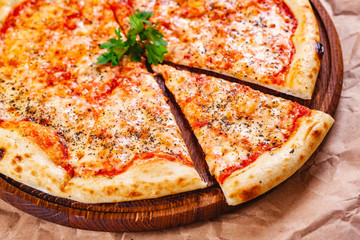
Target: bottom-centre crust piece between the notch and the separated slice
151,179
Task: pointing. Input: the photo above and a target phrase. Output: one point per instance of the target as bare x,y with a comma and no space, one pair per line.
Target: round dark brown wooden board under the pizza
185,208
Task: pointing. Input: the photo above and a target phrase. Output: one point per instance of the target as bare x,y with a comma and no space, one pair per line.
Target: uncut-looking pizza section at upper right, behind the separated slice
273,43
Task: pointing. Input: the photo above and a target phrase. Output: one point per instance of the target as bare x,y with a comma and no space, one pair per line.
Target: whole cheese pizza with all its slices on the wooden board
101,133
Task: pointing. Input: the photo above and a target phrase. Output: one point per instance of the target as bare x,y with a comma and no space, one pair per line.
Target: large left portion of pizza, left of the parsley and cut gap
59,130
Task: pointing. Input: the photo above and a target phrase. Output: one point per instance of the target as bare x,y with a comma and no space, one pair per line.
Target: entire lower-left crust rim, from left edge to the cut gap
29,164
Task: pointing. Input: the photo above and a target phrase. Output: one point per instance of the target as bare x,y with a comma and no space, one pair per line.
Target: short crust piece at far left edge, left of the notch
27,163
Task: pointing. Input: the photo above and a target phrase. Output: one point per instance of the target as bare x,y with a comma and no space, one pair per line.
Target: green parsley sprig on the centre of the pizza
142,38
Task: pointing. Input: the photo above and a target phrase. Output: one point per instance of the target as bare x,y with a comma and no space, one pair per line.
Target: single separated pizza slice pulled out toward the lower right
252,141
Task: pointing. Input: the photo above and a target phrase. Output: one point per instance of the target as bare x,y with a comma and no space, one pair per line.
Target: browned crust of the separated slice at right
272,168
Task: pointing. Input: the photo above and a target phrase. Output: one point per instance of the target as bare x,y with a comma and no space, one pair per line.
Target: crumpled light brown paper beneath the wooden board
321,201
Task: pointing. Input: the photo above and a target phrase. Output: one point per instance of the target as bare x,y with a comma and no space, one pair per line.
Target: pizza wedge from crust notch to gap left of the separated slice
135,150
